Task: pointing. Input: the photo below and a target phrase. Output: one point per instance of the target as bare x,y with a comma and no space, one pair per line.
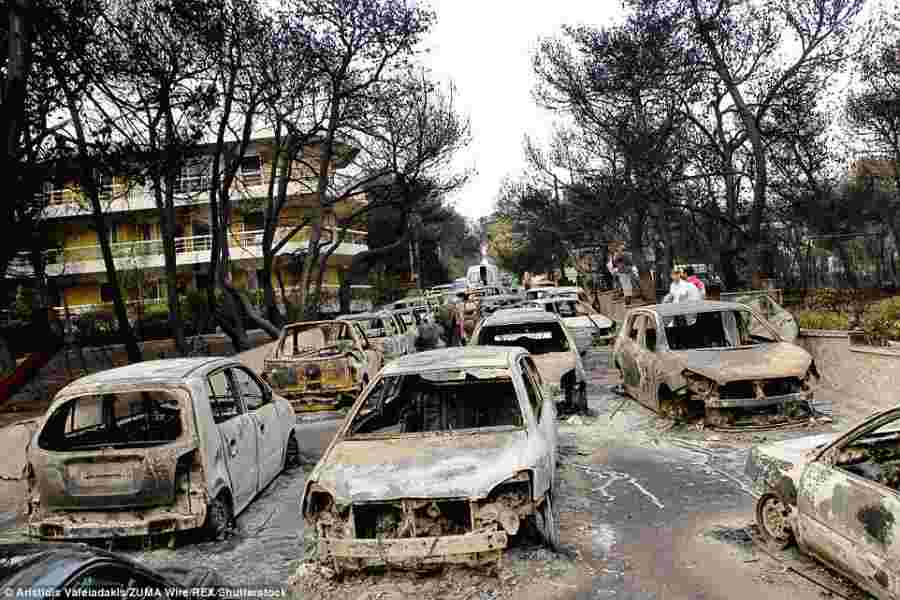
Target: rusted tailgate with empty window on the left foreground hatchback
118,449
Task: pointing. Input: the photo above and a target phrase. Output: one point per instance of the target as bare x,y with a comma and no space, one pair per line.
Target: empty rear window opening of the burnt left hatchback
133,418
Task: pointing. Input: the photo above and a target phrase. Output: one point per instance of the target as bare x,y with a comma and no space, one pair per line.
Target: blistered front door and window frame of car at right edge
816,530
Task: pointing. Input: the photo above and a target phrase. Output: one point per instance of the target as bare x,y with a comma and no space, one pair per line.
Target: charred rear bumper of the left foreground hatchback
91,525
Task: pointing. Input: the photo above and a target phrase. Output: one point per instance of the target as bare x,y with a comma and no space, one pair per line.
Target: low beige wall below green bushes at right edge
865,375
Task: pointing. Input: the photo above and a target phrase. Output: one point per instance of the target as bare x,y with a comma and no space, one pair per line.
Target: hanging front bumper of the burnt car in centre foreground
472,547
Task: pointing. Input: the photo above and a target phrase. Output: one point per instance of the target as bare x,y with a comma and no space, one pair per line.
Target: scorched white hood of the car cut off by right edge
769,465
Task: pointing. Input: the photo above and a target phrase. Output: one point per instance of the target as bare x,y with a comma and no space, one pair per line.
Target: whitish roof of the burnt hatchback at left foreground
160,371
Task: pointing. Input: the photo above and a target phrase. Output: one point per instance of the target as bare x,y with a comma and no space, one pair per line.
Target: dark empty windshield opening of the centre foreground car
462,400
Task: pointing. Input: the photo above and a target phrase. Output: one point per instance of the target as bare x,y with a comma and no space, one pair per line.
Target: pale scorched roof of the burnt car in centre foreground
492,357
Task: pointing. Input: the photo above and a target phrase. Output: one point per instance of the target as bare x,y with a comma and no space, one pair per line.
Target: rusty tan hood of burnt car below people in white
766,361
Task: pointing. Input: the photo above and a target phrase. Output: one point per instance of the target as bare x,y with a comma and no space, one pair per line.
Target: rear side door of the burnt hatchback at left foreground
239,439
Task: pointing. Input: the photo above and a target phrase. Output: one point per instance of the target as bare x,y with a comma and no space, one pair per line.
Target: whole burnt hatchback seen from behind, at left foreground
154,448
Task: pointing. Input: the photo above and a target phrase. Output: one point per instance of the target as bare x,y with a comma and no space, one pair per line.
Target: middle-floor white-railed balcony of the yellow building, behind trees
148,254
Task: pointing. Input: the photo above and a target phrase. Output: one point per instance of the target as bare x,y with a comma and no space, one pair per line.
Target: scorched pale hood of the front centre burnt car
457,465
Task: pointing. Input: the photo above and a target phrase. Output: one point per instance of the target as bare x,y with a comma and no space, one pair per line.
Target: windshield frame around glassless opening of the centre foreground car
433,378
